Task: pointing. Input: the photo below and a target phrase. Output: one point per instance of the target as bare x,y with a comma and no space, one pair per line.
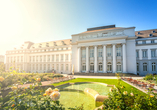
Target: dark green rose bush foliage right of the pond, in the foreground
120,99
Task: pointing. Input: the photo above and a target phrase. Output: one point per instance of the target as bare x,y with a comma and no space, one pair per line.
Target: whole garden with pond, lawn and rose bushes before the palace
49,91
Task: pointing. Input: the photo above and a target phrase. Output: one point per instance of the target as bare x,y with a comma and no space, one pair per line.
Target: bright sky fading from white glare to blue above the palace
49,20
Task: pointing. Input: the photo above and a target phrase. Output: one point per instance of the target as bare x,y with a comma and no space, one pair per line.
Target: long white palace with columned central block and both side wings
105,49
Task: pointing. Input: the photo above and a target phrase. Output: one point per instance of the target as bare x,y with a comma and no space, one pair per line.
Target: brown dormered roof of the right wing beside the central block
146,33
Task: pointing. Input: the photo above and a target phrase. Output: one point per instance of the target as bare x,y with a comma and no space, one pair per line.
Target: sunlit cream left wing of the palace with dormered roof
52,56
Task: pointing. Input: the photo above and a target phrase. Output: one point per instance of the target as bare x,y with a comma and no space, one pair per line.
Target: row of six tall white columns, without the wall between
104,58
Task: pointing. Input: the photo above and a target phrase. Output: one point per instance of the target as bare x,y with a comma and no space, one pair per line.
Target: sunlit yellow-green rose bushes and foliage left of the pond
27,98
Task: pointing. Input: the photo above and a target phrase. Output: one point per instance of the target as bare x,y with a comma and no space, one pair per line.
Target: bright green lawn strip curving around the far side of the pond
107,81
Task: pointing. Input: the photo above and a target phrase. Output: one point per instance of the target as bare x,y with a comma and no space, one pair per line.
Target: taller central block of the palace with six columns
105,49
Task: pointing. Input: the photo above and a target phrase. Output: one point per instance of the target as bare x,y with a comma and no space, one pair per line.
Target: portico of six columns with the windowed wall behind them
100,59
